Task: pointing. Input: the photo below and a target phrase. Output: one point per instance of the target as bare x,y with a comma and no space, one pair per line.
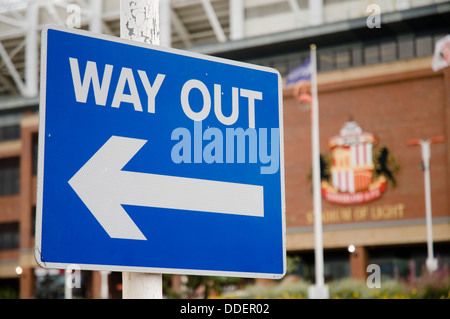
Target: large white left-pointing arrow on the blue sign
104,187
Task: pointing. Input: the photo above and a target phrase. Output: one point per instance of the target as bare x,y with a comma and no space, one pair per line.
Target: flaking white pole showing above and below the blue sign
139,21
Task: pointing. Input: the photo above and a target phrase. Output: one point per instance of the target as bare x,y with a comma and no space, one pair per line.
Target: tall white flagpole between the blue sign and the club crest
319,290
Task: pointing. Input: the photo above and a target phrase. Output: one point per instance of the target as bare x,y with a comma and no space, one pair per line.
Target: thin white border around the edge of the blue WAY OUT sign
41,148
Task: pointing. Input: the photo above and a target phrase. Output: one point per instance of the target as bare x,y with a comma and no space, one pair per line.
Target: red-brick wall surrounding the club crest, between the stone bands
395,108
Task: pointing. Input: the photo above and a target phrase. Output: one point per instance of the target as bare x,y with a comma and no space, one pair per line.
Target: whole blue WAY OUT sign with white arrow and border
158,160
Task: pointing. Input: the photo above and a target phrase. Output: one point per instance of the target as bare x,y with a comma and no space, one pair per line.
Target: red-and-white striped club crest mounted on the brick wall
357,171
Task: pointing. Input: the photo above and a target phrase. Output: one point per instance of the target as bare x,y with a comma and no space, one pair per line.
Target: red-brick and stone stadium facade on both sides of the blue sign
395,102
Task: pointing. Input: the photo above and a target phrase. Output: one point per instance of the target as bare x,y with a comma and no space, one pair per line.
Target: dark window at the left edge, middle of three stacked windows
9,176
